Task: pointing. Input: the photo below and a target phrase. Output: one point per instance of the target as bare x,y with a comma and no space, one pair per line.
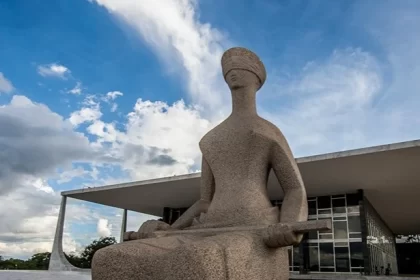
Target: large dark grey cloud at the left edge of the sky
35,141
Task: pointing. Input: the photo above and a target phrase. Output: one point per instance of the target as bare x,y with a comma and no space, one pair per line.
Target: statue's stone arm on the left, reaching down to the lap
206,195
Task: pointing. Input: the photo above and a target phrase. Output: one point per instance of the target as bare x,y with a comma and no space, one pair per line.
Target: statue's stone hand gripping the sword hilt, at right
281,235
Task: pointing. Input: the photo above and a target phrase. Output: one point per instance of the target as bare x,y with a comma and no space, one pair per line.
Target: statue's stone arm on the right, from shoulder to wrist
295,206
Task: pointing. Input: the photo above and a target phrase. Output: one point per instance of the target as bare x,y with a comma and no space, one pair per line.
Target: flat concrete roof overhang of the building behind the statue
388,174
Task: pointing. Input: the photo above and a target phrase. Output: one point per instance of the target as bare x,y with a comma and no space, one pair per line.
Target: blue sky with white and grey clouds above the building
96,92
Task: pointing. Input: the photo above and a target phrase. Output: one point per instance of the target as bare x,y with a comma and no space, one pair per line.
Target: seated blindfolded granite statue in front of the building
238,156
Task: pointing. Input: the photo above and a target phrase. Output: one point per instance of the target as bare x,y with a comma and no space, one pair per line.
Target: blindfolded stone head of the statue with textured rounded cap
241,68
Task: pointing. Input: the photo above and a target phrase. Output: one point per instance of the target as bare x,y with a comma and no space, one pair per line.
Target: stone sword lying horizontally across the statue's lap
273,235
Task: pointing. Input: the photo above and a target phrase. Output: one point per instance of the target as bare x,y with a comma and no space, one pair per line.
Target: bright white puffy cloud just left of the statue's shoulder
158,139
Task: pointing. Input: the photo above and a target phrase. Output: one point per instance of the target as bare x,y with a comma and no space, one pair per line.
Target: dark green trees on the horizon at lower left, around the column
40,261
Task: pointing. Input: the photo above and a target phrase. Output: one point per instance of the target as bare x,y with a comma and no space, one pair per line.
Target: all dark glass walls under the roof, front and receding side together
359,242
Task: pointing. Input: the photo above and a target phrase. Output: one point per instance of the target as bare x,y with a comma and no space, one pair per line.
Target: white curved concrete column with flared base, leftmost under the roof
58,261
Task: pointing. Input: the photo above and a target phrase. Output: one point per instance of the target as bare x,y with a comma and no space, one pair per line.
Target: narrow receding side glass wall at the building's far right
380,242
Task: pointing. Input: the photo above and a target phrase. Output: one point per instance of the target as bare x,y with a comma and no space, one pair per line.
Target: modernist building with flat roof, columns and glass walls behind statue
371,195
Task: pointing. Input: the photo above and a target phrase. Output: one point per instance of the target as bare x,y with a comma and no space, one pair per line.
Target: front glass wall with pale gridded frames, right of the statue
337,250
